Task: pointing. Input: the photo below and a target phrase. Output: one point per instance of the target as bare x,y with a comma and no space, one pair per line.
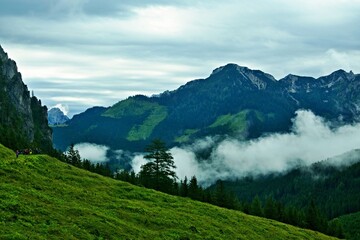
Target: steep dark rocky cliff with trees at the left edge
23,119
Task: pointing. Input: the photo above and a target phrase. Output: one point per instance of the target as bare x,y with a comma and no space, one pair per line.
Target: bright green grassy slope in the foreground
43,198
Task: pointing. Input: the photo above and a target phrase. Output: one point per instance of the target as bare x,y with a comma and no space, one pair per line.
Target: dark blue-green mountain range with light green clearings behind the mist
233,100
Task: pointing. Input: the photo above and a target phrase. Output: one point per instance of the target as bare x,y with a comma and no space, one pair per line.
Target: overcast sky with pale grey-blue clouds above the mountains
84,53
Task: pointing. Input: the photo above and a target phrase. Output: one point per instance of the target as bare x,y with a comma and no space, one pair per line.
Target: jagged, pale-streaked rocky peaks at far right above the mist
332,96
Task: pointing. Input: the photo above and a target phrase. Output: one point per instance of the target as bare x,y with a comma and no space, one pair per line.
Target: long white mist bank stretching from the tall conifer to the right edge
310,140
